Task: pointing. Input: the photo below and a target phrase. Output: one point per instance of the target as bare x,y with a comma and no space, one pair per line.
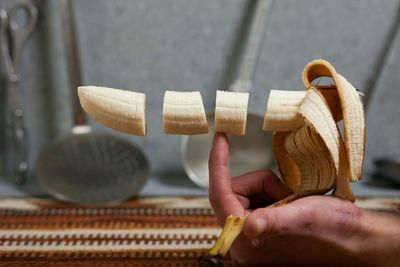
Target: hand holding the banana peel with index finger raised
312,231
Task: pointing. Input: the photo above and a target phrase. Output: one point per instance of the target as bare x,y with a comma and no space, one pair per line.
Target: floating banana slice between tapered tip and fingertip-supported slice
183,113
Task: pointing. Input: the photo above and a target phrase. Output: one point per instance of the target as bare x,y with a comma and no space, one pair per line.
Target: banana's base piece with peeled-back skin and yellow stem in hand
309,150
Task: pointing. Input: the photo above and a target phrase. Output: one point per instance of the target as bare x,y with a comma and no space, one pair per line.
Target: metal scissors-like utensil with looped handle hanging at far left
13,36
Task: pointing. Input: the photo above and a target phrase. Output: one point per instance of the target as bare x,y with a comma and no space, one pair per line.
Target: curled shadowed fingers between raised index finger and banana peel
260,182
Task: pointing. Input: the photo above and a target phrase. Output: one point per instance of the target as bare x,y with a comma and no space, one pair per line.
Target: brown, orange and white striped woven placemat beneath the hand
142,232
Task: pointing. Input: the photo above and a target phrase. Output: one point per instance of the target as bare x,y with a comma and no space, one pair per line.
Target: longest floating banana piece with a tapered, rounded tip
120,110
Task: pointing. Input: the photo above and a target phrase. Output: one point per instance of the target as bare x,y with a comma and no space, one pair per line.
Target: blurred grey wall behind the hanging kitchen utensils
155,45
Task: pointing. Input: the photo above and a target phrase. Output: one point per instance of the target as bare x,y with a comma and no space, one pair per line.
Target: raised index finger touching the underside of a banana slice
222,198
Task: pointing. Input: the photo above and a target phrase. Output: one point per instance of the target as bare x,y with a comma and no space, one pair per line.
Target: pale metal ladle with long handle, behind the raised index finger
253,150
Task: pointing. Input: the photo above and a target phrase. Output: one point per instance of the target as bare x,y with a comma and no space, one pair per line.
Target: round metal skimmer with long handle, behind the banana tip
86,167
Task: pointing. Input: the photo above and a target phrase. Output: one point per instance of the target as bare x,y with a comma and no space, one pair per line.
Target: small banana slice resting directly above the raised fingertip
231,112
